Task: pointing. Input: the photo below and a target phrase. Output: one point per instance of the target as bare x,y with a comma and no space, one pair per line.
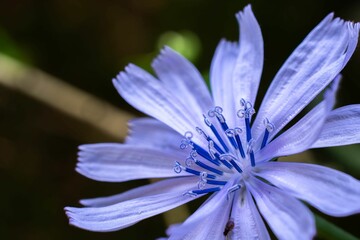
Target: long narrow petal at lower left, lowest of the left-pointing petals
127,213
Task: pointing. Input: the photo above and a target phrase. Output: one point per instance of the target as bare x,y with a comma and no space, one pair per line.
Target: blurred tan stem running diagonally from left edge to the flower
64,97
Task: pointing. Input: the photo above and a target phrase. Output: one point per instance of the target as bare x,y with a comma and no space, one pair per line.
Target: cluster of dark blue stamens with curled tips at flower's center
224,154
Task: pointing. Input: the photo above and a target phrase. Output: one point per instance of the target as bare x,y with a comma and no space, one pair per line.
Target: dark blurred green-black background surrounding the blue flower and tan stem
86,43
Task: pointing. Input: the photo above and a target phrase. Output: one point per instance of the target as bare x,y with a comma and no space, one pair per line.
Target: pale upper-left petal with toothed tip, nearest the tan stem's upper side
152,97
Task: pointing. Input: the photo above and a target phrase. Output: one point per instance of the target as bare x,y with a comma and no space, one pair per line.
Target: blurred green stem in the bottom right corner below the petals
329,231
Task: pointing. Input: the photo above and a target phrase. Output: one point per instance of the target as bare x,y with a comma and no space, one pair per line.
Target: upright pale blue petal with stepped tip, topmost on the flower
236,68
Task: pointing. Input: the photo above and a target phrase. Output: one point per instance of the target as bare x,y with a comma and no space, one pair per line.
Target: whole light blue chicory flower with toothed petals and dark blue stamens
212,142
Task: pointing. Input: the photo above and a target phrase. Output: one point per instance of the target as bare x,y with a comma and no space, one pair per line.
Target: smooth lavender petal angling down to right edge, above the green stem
331,191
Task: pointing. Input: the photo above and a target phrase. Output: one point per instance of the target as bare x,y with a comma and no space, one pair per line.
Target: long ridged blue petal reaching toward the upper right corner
309,69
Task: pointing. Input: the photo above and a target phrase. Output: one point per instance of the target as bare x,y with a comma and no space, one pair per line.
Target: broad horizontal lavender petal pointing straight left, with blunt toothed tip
113,162
